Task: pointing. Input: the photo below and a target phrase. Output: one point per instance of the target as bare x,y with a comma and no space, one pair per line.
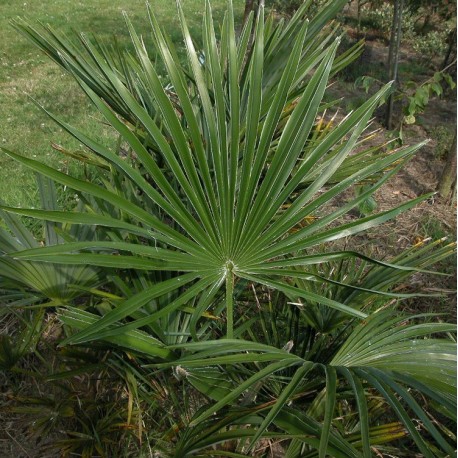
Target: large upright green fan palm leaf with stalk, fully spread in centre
220,152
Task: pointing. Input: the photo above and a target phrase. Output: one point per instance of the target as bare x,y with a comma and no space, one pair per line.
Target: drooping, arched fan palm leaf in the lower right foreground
385,353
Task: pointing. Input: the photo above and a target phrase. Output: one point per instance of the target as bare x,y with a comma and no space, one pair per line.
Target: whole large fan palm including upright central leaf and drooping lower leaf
227,186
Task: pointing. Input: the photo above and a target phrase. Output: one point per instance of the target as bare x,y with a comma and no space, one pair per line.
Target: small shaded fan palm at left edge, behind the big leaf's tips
34,286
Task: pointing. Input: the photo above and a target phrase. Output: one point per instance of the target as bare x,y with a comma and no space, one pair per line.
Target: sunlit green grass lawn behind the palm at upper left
25,72
